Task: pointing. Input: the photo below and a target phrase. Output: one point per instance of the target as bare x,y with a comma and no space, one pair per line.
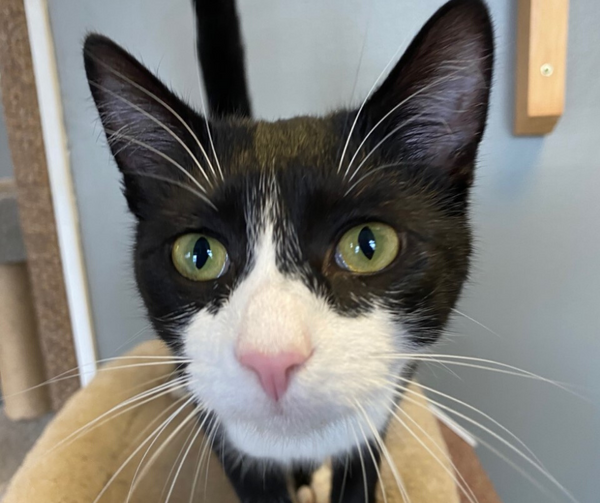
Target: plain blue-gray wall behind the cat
536,206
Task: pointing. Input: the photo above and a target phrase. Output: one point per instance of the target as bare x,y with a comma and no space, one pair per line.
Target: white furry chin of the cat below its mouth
276,442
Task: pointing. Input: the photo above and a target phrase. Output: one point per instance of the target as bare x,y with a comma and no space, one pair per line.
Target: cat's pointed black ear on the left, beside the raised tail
150,131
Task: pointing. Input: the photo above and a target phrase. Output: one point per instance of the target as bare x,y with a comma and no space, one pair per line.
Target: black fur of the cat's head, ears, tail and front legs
432,111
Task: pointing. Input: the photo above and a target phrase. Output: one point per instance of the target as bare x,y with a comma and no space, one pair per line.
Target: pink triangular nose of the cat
273,370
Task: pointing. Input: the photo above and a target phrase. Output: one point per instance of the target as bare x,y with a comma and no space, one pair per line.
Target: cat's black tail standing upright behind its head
221,56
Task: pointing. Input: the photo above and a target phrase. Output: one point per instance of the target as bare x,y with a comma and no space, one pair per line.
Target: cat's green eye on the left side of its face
199,257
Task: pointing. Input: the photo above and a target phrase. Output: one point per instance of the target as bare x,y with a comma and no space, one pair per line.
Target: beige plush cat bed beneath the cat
103,460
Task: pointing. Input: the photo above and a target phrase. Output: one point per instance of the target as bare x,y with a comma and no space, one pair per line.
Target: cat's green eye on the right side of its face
368,248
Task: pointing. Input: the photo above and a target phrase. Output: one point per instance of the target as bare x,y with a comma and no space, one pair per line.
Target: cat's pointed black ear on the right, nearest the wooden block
432,108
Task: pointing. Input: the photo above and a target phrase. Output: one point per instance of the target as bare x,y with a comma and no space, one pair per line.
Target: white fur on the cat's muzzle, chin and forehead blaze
317,417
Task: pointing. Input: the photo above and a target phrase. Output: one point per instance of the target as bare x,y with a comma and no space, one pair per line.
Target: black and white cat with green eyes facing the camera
297,265
